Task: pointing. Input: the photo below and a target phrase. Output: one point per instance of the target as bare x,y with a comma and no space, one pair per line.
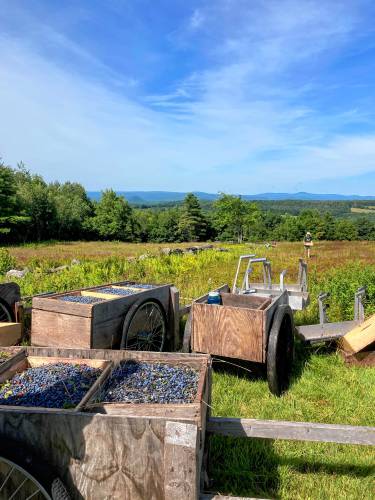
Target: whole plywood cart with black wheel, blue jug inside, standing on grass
249,327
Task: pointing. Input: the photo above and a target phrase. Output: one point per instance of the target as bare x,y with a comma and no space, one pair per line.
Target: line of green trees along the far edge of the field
33,210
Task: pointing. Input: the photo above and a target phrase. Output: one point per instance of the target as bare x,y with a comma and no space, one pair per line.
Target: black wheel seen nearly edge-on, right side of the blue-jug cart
280,350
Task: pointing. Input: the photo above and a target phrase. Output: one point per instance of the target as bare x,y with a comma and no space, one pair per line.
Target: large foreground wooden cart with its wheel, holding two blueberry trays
123,451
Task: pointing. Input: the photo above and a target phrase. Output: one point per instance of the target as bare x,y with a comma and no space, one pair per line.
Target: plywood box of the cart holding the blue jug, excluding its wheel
238,328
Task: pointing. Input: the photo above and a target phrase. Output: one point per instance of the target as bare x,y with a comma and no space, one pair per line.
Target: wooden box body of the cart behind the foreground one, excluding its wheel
56,323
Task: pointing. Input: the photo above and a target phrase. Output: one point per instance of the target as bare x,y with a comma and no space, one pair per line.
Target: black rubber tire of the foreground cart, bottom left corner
35,467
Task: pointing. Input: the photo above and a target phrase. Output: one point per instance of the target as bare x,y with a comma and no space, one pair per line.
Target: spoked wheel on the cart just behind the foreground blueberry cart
144,327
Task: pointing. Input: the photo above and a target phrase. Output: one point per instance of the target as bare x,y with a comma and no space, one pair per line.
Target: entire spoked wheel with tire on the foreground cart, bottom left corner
24,476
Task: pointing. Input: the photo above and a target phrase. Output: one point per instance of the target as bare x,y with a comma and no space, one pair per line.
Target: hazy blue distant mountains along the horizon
168,196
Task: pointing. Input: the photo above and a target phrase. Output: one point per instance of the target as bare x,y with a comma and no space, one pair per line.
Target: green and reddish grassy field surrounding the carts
322,390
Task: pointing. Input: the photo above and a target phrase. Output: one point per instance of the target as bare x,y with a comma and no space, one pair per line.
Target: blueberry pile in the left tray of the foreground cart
56,385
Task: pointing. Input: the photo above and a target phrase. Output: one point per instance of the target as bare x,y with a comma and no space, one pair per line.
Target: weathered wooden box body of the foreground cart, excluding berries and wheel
134,454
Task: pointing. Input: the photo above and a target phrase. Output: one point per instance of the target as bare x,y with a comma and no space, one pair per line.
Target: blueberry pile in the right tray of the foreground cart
140,382
